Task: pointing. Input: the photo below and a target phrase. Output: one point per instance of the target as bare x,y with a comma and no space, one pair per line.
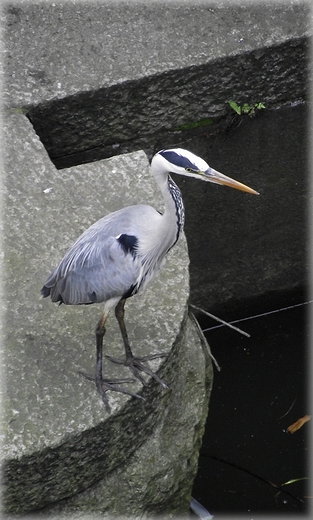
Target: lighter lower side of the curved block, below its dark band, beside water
155,480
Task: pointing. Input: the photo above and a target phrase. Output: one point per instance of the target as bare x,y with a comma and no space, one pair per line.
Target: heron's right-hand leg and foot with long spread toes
135,364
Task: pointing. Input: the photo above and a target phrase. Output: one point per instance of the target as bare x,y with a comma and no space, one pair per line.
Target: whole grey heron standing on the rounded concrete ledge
117,256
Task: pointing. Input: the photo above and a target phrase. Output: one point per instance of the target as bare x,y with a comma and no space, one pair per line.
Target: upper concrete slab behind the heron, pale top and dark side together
102,79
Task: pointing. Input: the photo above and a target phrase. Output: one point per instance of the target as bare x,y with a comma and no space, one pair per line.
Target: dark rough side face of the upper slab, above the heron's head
94,125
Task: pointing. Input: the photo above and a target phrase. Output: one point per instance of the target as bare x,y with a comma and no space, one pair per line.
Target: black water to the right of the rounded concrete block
246,450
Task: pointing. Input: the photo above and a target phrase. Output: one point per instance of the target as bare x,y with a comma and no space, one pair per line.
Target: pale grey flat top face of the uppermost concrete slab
56,49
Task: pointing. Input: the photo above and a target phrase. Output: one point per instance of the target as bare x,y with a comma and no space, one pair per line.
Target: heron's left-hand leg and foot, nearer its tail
103,385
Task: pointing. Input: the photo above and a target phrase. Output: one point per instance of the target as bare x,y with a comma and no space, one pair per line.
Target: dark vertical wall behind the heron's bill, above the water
254,246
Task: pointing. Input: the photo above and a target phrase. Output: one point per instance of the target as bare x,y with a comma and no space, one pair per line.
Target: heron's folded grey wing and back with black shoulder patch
109,260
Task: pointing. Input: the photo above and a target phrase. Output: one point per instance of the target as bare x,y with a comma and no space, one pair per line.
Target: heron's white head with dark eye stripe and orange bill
183,162
